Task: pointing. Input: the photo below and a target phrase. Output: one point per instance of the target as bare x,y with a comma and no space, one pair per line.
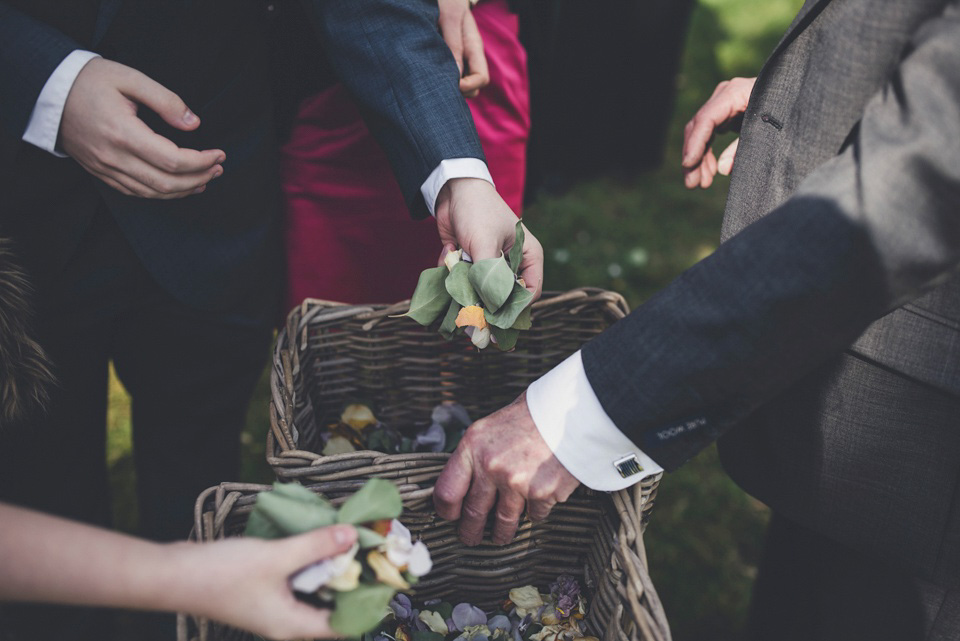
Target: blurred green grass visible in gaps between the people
634,237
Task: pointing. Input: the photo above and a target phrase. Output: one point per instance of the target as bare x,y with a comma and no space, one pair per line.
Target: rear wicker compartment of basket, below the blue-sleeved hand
331,354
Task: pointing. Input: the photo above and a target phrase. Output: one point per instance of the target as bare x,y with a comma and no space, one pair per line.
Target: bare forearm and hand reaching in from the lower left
243,582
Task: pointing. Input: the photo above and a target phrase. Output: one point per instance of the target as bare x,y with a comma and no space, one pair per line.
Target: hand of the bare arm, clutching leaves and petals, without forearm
246,582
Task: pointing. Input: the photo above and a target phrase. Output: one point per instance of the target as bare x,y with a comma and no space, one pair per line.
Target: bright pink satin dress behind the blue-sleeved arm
349,236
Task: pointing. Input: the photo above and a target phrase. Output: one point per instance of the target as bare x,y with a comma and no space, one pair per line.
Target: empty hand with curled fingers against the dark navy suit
101,131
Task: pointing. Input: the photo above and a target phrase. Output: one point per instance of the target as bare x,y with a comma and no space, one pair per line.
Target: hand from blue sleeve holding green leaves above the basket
471,214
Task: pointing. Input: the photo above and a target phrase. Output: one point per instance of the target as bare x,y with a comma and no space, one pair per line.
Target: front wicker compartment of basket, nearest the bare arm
593,536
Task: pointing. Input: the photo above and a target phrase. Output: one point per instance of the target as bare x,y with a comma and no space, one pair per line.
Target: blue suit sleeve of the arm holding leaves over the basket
391,57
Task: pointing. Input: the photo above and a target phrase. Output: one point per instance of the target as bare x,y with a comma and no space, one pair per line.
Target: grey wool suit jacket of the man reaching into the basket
842,232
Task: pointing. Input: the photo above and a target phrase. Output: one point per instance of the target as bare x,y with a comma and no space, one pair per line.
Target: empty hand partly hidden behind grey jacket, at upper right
729,100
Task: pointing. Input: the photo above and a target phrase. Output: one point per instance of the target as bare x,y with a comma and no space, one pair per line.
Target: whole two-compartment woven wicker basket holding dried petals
331,354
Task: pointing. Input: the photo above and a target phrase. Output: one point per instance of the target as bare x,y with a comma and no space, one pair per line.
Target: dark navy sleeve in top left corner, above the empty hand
29,52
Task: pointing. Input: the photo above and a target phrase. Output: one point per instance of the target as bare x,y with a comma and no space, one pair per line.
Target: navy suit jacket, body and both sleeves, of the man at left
219,250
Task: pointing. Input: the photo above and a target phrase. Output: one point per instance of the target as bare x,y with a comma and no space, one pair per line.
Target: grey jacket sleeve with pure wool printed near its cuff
866,232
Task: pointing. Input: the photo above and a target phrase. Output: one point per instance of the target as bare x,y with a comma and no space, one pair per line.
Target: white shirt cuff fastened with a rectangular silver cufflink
571,420
